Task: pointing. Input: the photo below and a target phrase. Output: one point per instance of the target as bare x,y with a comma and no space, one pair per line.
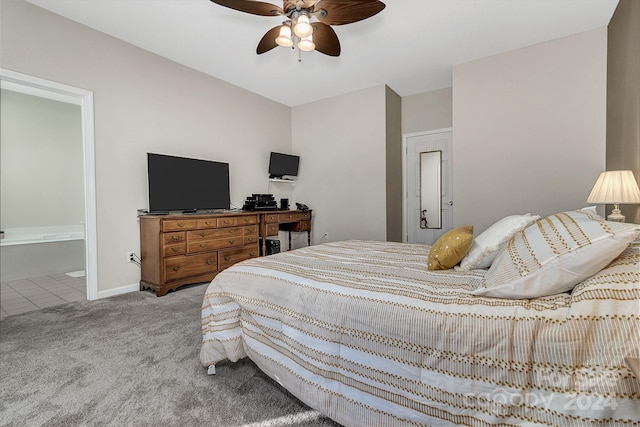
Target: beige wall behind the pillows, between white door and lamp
529,129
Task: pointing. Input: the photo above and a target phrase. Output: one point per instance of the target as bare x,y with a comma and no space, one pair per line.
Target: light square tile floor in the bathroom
23,295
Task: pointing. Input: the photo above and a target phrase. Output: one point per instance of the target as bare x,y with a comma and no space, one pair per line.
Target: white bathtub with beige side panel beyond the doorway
41,251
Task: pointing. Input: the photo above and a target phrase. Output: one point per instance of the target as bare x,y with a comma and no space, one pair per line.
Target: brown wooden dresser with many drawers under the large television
178,250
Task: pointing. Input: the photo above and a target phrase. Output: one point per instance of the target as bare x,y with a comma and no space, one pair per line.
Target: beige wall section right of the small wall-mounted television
342,143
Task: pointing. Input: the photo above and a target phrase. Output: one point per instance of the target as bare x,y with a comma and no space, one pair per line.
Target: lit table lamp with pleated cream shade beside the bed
615,187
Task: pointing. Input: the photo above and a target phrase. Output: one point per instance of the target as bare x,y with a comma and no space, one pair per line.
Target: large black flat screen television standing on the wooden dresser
184,184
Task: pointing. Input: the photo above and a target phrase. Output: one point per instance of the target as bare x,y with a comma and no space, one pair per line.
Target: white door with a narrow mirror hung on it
415,144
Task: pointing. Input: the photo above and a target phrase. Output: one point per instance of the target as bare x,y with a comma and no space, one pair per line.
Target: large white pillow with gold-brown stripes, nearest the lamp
555,254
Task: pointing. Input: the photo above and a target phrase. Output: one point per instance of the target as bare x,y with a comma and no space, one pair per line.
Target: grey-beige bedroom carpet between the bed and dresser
131,360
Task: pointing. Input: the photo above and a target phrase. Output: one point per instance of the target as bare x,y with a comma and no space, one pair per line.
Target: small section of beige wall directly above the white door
427,111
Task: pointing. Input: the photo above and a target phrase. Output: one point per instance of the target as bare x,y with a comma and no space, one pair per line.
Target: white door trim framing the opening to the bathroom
60,92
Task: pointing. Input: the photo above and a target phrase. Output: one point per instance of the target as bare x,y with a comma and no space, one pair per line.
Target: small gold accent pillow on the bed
450,248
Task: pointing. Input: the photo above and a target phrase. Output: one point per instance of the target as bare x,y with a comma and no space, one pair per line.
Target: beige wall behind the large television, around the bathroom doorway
142,103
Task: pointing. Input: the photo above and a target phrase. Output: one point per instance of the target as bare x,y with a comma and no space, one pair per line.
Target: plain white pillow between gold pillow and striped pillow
486,246
